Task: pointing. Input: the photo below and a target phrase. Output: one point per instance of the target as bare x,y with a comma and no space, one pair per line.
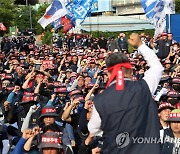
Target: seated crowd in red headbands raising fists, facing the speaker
47,92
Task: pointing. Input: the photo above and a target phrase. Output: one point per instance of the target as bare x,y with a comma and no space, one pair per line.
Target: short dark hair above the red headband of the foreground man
116,58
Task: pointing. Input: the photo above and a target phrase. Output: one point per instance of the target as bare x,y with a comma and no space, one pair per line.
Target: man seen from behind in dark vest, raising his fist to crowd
125,110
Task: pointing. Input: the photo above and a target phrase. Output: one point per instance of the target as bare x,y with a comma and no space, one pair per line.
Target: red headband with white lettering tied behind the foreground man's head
117,72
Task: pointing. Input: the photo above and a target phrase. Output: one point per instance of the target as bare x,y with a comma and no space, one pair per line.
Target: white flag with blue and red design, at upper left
55,11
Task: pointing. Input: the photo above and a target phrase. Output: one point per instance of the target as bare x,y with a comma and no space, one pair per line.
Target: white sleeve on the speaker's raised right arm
153,74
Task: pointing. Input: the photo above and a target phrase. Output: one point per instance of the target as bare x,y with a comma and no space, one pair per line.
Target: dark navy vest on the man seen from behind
127,115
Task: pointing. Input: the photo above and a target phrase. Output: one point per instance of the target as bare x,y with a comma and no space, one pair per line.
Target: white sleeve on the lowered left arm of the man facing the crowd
94,125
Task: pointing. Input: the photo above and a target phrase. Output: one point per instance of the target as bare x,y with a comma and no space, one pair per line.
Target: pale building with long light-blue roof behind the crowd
129,15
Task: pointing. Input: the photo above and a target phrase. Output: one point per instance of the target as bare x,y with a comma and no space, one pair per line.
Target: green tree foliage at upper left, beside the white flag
19,15
